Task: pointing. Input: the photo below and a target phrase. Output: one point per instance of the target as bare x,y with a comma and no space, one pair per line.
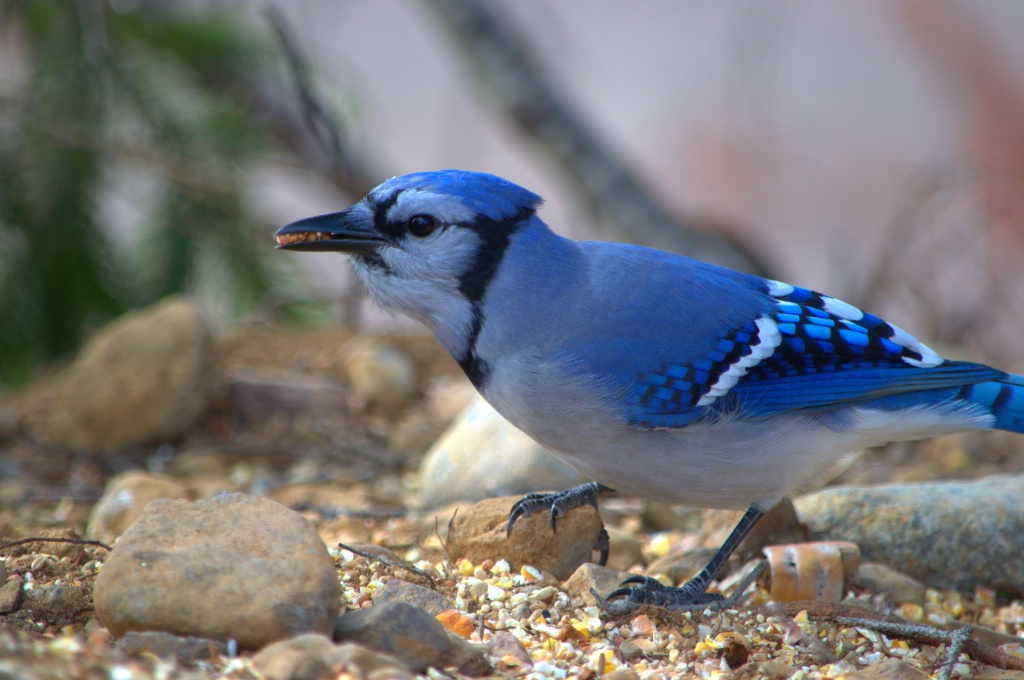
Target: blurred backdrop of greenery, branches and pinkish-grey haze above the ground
871,150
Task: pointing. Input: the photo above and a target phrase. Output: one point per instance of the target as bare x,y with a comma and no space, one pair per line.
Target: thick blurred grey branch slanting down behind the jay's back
505,66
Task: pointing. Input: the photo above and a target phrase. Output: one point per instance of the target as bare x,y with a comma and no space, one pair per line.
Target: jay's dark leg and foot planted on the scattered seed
694,592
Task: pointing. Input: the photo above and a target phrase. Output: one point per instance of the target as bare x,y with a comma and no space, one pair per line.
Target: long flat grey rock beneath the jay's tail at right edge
955,535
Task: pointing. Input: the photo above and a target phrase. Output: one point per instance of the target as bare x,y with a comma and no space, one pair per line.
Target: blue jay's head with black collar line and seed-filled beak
426,244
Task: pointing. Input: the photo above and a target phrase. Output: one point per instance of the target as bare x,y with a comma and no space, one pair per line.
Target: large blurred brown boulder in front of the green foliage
146,377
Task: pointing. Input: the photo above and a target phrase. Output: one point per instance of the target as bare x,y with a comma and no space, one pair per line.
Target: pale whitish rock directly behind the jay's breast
483,455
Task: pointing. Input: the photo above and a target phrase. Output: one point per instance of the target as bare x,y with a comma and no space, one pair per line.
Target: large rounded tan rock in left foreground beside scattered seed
235,567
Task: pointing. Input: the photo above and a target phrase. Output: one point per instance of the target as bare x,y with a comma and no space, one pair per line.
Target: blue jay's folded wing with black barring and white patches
809,353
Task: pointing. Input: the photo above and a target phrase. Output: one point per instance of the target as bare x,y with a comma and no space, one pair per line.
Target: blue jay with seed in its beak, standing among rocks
653,374
